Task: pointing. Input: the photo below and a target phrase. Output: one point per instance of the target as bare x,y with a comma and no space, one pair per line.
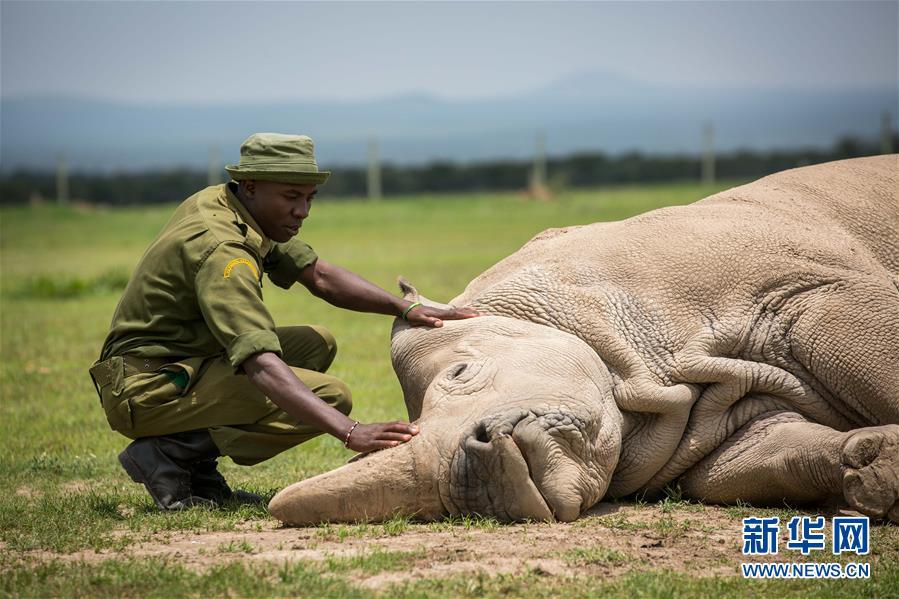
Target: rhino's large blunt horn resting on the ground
383,484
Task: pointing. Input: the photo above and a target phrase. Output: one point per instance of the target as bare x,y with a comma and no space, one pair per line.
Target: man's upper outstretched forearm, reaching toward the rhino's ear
345,289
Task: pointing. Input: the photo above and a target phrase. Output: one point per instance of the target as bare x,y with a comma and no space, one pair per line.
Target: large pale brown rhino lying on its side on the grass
744,348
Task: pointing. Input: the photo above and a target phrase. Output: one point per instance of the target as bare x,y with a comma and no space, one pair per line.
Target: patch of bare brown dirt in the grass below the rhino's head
611,540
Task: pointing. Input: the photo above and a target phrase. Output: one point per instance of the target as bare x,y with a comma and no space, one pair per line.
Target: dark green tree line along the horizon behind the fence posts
584,169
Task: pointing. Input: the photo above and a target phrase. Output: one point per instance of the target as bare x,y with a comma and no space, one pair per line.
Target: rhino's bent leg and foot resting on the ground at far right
781,457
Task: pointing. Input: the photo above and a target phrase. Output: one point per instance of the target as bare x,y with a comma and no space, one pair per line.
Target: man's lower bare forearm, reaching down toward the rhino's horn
278,382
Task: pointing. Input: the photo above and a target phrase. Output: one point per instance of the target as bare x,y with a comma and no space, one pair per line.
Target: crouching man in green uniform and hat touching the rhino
194,368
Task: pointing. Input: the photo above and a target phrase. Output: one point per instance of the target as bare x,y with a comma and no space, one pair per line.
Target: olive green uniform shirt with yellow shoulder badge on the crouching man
197,291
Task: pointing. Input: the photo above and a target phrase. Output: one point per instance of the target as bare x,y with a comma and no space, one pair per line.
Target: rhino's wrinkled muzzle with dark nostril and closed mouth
516,469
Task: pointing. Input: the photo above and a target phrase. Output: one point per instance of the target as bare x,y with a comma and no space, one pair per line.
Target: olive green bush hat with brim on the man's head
278,157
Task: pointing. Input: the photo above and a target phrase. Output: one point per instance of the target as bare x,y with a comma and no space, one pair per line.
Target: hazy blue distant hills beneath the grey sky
588,112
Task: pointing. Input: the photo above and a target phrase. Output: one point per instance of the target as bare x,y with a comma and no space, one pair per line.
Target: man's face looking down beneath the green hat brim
279,208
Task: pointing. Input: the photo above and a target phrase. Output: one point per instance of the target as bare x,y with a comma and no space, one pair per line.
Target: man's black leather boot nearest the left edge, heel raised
163,466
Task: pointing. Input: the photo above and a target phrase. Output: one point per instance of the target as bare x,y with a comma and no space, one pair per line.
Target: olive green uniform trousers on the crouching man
206,393
